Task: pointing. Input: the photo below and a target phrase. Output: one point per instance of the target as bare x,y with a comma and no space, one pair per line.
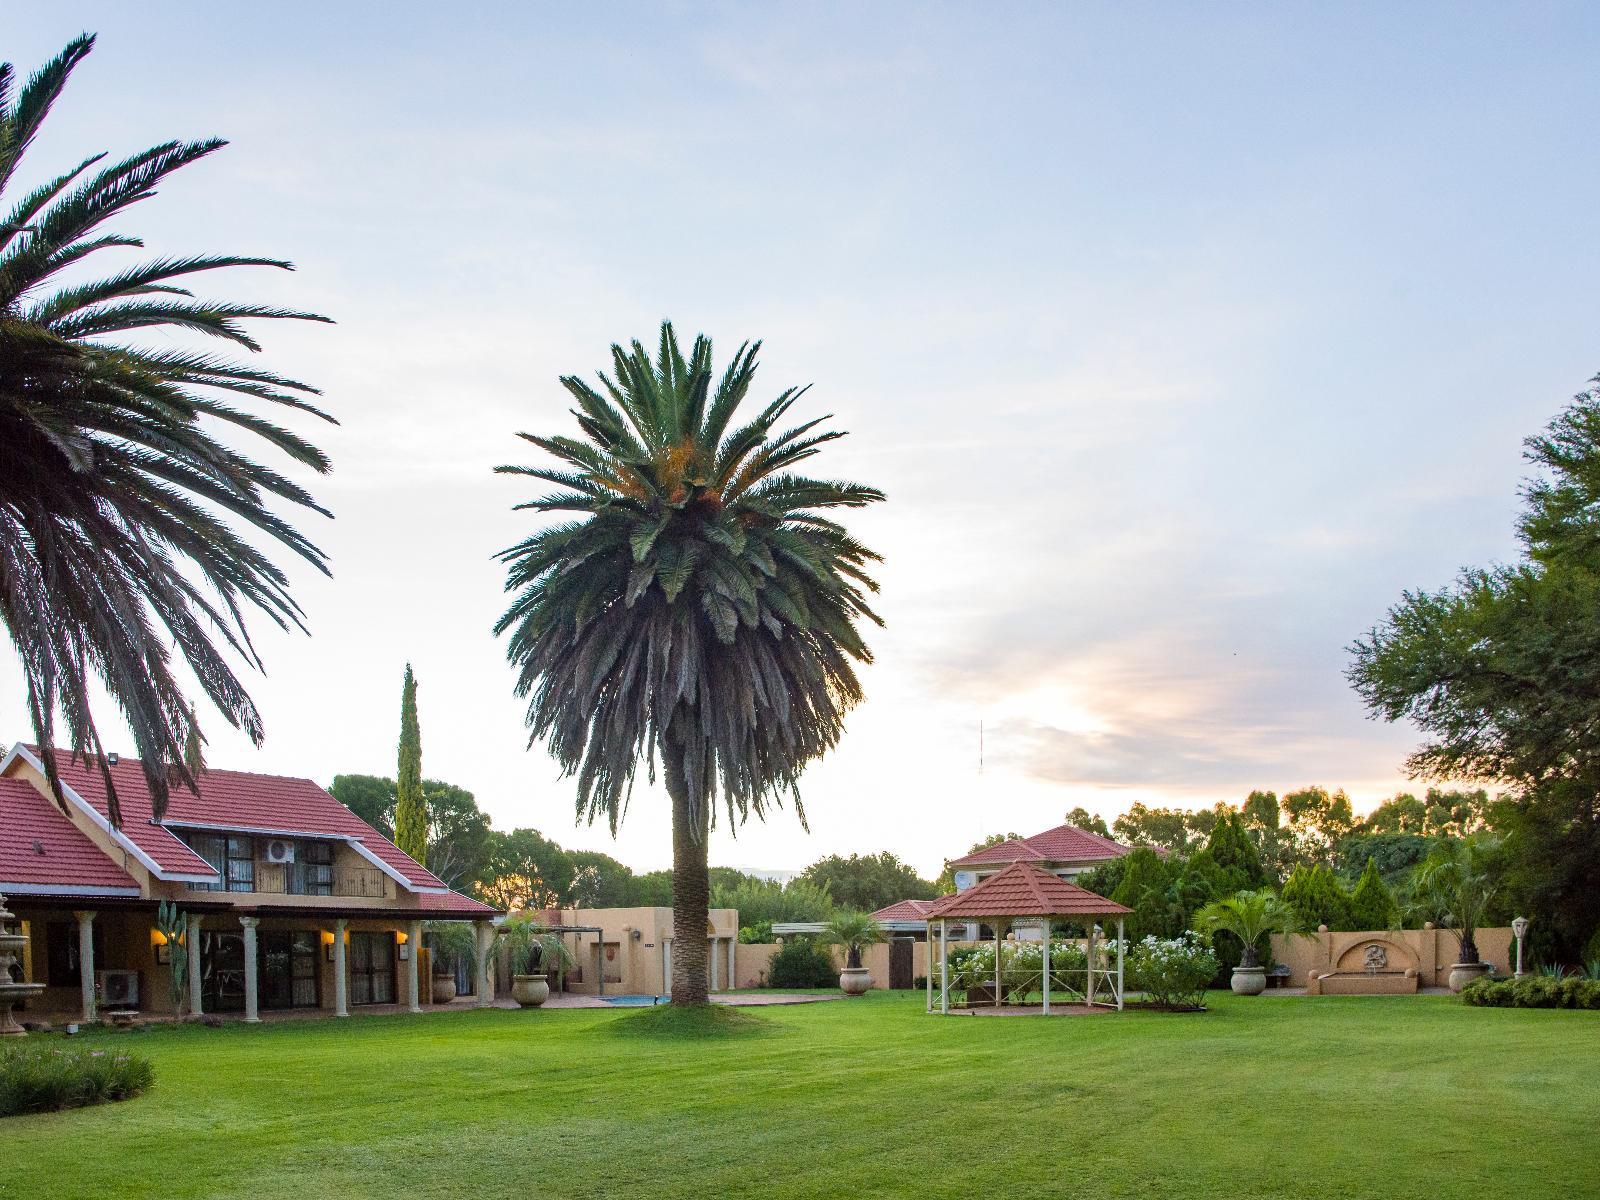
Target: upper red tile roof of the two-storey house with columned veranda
271,804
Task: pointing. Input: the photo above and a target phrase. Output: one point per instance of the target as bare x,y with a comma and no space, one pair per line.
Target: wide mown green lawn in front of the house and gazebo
1274,1097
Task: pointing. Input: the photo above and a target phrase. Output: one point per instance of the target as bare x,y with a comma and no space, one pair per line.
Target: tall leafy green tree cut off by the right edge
1502,674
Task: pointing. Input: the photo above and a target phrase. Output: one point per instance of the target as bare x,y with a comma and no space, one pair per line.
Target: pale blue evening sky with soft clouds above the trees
1182,338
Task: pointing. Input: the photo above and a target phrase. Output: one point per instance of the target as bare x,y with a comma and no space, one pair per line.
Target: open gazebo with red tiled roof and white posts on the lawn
1030,895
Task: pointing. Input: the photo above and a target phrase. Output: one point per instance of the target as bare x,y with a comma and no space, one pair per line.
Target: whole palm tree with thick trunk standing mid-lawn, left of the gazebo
702,609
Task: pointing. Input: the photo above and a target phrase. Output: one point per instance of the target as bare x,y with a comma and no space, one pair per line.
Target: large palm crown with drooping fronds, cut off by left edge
116,497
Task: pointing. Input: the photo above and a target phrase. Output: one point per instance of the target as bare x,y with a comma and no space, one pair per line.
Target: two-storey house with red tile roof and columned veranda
289,898
